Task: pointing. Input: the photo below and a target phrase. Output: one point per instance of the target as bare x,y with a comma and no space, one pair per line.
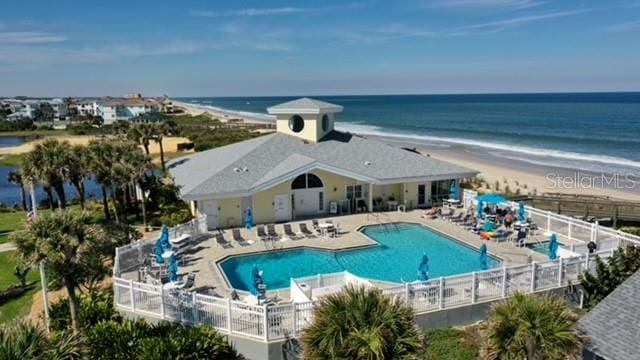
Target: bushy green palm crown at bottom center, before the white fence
361,323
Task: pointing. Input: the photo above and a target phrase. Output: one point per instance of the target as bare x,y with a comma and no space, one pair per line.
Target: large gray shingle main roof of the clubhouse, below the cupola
252,165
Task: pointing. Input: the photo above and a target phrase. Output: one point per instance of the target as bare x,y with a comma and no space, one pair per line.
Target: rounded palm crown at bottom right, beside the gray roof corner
531,327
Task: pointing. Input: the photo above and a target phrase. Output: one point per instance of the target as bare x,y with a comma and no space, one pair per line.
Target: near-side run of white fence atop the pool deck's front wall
274,322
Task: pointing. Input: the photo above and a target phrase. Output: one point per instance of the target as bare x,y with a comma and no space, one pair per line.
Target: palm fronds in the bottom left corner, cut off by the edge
23,340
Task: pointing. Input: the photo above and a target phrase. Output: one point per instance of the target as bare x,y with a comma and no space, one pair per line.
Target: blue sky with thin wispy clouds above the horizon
255,48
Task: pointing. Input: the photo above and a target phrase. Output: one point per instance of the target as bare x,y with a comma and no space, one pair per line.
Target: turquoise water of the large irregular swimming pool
395,259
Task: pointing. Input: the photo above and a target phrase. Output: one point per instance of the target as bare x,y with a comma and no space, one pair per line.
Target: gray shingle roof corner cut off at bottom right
613,326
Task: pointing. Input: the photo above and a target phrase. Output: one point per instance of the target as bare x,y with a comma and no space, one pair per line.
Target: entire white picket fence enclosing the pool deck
274,322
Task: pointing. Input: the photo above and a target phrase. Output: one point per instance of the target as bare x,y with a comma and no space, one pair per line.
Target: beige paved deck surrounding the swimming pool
206,253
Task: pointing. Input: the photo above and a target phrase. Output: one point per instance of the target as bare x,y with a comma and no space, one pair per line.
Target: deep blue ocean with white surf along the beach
596,132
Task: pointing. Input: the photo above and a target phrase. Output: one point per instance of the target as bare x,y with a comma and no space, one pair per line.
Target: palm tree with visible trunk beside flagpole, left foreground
69,244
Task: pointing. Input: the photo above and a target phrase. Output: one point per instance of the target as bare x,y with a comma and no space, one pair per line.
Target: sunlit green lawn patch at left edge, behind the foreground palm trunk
20,306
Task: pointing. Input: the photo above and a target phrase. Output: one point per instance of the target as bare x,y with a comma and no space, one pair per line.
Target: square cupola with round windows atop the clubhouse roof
306,118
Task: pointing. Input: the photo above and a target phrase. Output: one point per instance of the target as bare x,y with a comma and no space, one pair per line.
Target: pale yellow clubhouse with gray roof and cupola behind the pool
307,169
